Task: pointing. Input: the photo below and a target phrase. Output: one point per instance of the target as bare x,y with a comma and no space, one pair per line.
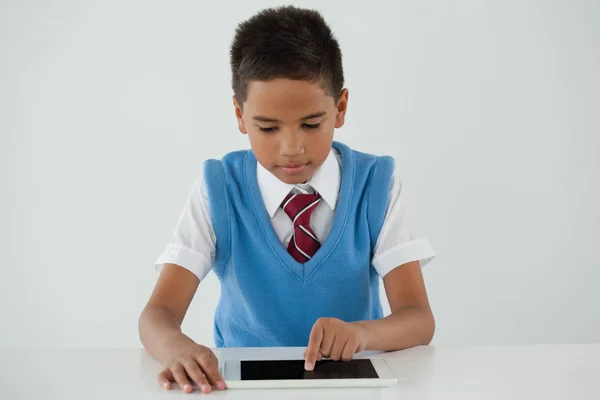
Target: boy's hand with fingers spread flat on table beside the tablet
186,359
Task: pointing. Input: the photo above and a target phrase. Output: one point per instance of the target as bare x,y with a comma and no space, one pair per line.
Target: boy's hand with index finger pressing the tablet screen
335,339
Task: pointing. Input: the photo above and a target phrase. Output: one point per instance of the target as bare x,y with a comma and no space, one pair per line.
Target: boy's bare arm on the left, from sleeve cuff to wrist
160,321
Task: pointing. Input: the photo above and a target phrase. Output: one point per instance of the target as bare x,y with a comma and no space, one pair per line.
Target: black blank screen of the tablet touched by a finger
294,369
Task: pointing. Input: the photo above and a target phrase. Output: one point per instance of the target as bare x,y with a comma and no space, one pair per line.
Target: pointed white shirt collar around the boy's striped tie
325,180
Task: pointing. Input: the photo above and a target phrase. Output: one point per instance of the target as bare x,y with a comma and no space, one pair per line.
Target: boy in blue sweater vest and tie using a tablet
298,230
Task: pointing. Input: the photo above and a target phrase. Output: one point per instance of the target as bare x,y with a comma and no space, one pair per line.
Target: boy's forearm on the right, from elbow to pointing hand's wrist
407,327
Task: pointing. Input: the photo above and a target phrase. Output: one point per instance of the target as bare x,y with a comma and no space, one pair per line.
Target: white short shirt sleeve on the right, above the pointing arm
398,242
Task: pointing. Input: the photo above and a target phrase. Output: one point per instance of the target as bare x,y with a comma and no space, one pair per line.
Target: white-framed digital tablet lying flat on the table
248,374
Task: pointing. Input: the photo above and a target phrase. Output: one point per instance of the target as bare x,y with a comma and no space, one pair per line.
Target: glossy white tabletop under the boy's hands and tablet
429,372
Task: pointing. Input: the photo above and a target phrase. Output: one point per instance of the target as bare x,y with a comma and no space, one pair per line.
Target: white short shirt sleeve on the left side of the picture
193,243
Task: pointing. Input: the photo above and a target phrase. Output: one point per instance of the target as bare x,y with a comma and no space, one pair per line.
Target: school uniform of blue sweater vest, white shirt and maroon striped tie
282,263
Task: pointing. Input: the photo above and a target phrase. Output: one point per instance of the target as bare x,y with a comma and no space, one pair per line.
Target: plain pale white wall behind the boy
491,109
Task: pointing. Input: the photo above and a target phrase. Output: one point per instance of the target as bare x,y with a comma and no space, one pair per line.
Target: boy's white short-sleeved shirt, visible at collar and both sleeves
193,243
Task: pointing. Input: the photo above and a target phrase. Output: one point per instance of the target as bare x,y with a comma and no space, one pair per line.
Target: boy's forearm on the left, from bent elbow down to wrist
157,327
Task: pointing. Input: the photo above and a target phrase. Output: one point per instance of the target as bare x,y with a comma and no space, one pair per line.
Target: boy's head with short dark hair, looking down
288,80
